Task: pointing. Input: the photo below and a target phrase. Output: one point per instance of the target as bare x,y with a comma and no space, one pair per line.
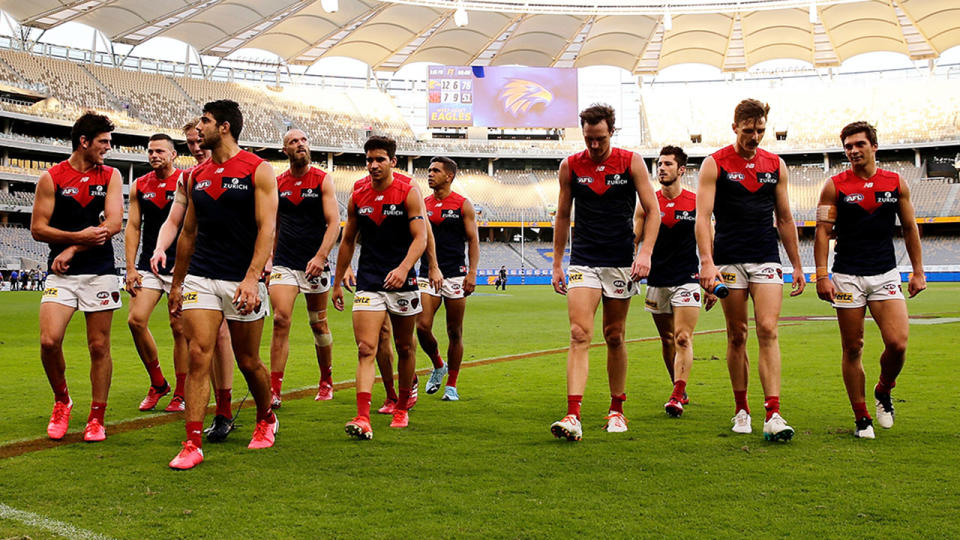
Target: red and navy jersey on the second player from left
155,197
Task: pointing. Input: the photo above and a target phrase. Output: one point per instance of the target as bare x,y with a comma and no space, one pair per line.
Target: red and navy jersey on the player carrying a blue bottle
743,207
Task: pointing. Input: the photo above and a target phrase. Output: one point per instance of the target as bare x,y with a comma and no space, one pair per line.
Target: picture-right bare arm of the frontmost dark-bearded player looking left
247,296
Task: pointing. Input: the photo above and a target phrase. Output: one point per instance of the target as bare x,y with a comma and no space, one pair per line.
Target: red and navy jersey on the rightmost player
866,220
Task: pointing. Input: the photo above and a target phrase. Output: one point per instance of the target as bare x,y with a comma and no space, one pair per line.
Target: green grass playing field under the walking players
487,466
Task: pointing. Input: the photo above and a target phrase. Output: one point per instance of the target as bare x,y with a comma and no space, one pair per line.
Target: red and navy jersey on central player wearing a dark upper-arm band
384,228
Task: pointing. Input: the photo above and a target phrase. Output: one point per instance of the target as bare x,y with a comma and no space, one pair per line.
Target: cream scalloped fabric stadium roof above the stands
641,36
